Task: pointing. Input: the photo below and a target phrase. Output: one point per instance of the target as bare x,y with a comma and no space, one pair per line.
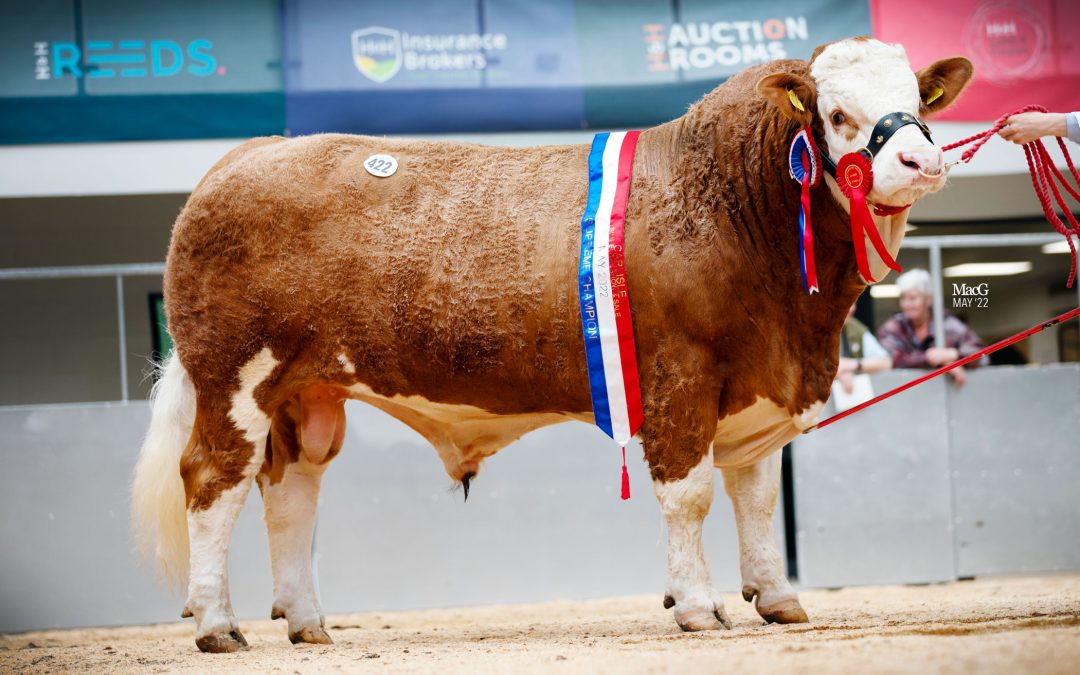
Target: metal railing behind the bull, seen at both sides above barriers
935,245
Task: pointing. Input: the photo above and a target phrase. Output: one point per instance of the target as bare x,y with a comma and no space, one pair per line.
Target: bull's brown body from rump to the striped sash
454,279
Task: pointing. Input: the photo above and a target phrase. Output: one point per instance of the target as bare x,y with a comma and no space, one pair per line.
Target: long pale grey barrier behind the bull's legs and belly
544,522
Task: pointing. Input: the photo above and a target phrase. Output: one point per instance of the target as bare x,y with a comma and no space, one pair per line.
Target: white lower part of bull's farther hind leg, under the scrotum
290,515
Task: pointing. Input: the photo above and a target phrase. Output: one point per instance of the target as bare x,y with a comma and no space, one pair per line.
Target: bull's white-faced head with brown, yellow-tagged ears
855,87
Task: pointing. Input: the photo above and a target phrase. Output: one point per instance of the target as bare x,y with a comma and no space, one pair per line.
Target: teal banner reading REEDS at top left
130,70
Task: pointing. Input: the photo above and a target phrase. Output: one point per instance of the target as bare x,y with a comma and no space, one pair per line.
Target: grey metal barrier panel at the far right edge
1016,457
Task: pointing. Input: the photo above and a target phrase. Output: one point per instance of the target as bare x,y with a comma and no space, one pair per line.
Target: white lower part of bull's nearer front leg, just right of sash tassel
685,505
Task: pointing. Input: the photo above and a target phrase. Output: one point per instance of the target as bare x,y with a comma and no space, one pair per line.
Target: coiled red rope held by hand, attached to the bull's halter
1044,173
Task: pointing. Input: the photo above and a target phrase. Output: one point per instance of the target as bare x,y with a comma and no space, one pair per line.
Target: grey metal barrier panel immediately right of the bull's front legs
872,493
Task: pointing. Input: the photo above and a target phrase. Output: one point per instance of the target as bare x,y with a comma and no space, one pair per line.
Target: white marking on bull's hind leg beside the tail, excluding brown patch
211,530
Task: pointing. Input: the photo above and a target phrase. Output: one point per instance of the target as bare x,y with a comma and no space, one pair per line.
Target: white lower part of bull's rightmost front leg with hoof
753,492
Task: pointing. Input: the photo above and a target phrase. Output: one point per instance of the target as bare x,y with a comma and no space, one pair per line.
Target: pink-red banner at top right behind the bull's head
1025,51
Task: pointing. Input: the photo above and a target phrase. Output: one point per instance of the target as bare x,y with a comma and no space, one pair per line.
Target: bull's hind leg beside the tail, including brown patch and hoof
223,457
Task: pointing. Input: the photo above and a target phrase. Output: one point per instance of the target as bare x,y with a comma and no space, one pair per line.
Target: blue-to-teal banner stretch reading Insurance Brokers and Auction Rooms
505,65
